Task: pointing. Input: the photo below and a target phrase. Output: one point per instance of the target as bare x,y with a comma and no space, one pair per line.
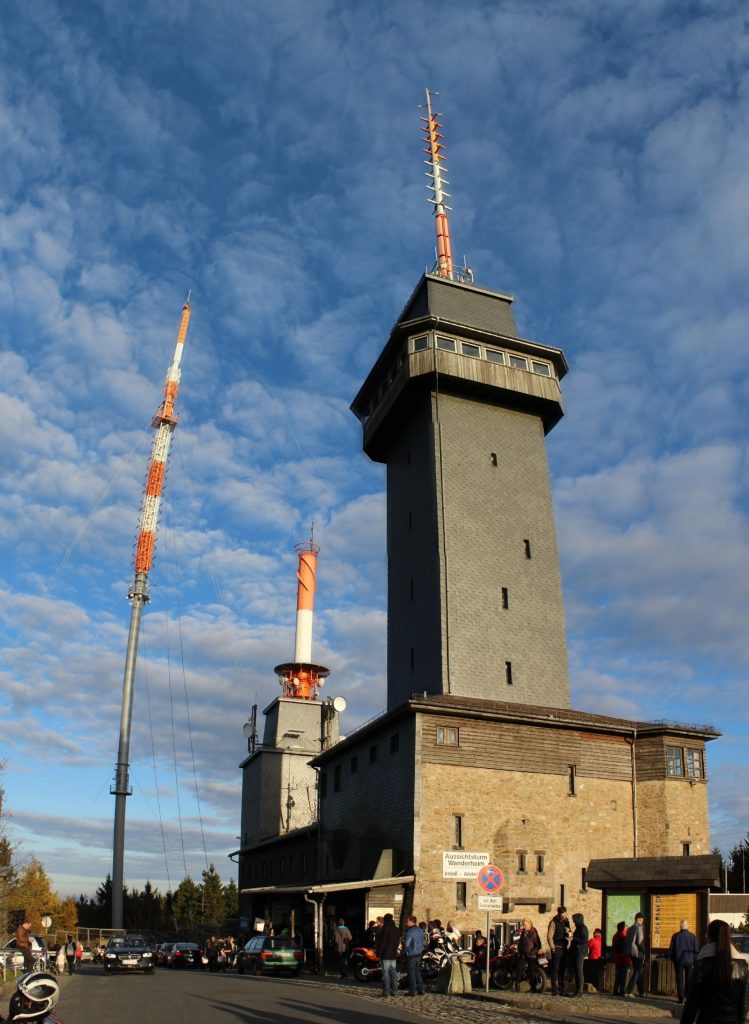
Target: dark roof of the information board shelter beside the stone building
655,873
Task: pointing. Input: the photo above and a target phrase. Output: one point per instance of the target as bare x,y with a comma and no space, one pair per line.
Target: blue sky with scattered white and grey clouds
269,158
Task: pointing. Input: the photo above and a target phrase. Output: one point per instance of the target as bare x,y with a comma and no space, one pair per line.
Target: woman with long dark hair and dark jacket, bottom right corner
719,992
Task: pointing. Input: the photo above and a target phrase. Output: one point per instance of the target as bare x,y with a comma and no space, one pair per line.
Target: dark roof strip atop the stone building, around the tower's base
525,714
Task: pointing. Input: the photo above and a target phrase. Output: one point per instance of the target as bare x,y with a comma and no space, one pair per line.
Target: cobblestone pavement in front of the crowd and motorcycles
514,1008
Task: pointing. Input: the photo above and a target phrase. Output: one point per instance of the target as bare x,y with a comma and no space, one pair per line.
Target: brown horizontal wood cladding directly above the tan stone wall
515,747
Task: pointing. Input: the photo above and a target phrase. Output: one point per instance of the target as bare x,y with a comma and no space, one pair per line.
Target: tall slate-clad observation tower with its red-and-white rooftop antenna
457,406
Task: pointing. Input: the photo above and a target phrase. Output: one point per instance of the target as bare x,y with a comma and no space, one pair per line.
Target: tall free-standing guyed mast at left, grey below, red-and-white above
164,423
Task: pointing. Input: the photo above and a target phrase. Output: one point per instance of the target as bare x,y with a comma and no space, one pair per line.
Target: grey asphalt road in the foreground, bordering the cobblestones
199,998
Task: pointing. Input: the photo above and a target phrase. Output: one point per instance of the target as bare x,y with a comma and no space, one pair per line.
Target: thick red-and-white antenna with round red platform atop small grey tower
302,678
